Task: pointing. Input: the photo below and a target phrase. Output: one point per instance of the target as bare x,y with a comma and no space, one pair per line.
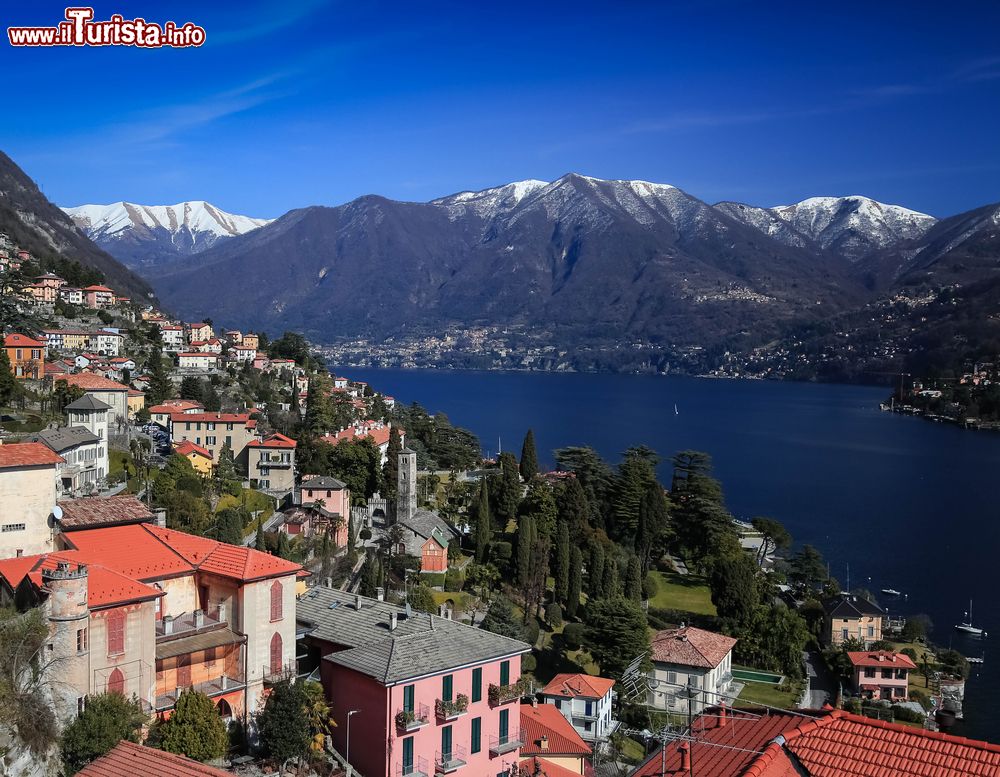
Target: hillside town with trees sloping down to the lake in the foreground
217,558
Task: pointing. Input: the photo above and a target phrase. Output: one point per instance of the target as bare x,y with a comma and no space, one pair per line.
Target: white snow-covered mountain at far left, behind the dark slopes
144,235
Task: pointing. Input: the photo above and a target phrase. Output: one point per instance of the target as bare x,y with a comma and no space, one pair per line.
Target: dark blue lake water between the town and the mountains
908,504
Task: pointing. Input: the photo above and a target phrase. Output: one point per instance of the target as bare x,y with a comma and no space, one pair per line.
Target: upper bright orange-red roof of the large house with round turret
148,552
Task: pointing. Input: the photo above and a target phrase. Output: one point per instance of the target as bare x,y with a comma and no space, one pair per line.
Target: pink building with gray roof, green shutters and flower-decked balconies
442,696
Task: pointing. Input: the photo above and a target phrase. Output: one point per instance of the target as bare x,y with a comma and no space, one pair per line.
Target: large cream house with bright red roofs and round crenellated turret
158,611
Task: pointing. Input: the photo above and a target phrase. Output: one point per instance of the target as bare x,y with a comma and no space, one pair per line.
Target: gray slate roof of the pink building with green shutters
421,644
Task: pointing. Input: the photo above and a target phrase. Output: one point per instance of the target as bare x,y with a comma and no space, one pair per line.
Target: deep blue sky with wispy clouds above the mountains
291,104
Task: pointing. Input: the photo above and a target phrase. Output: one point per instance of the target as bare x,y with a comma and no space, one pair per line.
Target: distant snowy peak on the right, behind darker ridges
854,226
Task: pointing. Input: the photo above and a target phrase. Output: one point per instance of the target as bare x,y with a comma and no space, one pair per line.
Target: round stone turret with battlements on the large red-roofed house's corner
68,613
